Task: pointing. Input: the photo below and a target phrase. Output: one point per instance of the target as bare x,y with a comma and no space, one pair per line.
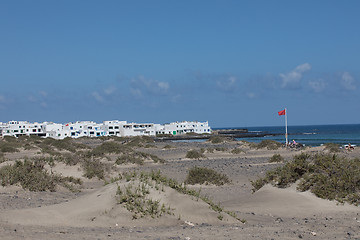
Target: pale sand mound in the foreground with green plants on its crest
101,208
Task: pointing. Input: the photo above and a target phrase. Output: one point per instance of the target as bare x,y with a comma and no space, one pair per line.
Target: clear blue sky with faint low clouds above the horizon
232,63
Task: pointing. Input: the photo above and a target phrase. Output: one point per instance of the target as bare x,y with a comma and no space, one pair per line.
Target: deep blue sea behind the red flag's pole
315,135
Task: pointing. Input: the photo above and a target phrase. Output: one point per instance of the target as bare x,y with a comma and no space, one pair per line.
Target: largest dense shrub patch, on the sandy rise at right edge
328,176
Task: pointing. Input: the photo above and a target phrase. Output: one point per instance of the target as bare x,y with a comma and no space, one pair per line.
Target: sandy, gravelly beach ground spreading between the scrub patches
95,213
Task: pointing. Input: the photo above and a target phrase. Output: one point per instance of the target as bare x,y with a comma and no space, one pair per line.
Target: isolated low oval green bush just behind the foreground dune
199,175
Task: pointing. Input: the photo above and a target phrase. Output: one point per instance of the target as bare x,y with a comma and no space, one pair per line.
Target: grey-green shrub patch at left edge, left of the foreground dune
32,175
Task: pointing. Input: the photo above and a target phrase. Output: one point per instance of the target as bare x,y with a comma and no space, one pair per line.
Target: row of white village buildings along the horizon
106,128
